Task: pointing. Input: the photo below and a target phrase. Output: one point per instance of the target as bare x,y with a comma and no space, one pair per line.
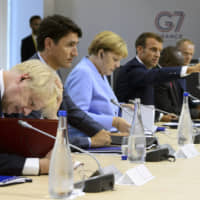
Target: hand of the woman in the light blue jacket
121,124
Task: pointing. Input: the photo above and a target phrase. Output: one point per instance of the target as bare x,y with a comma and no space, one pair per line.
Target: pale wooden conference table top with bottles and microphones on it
178,180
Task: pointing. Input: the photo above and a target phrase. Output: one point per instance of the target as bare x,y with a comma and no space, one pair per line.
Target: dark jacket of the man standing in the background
27,48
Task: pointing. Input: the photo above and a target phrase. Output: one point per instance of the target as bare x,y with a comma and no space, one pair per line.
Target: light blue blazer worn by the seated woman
91,93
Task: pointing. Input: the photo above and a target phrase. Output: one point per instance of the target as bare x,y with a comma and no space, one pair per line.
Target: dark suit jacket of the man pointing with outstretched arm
134,80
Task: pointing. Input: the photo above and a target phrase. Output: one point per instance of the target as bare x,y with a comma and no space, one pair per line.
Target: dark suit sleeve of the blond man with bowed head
10,164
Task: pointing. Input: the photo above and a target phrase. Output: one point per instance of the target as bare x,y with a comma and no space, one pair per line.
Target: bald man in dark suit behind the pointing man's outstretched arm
169,95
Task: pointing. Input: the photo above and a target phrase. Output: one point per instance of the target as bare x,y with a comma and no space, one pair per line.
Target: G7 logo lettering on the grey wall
166,21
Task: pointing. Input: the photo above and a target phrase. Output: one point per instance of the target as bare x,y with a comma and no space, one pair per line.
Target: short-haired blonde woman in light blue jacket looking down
88,86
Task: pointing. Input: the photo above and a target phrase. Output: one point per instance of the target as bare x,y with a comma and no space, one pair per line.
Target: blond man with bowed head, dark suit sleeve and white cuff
20,94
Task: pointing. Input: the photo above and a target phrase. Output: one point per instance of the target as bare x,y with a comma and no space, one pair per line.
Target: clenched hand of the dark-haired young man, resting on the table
102,138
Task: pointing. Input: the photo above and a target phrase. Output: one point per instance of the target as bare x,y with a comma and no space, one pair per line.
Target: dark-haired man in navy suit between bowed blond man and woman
57,40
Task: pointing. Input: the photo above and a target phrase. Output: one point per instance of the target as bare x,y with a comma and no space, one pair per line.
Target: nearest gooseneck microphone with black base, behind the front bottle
98,182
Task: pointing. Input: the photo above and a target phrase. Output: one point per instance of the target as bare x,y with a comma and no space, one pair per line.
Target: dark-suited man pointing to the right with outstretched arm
137,78
